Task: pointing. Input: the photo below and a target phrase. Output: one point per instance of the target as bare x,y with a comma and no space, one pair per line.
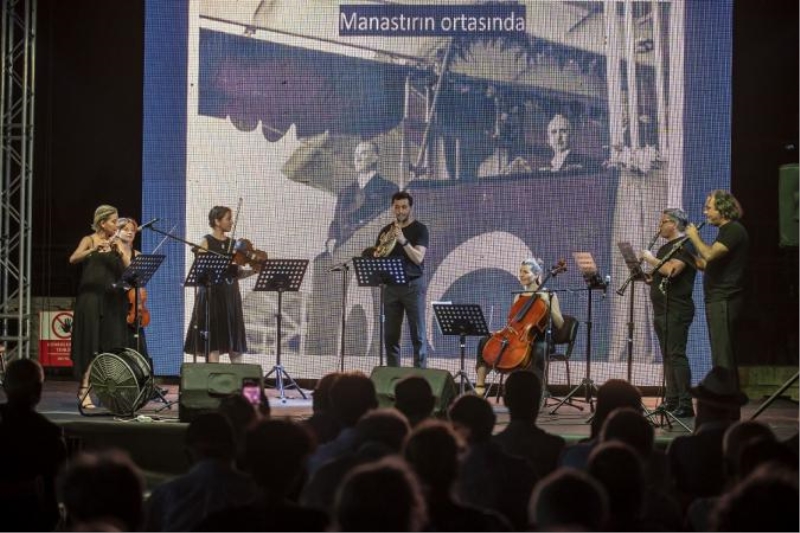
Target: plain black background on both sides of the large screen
88,145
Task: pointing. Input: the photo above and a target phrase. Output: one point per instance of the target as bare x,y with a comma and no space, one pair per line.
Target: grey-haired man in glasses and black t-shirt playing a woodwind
673,308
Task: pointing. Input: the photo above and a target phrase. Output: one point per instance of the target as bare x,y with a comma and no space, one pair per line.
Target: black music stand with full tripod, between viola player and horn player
281,275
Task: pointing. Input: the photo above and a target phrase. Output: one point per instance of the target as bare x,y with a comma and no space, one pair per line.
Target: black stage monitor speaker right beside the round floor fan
203,385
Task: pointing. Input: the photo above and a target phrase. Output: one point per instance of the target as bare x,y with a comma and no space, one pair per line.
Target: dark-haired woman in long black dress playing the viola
226,319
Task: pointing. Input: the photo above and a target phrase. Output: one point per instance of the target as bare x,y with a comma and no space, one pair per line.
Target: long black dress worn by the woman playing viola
225,313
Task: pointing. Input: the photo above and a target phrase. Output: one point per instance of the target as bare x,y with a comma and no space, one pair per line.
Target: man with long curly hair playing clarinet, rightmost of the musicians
724,262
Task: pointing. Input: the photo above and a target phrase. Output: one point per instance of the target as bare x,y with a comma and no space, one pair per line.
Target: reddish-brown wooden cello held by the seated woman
510,347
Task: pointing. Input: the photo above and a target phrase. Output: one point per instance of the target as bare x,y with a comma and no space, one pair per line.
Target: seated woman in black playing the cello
530,276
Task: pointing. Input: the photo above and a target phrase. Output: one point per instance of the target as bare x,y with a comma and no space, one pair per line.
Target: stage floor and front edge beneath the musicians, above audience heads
154,438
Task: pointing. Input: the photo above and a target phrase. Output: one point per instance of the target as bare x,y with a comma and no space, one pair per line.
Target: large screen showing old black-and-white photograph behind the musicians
563,143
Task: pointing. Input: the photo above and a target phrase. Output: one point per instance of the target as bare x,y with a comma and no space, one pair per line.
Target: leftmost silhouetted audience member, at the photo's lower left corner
32,451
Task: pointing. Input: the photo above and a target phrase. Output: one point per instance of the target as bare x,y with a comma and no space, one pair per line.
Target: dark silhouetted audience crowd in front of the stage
380,473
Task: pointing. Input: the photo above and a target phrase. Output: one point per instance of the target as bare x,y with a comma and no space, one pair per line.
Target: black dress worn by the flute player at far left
99,323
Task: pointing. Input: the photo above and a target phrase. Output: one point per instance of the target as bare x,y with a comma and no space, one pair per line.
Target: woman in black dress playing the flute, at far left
99,323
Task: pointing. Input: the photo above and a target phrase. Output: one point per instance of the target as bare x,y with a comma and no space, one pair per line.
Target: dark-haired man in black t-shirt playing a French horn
406,238
